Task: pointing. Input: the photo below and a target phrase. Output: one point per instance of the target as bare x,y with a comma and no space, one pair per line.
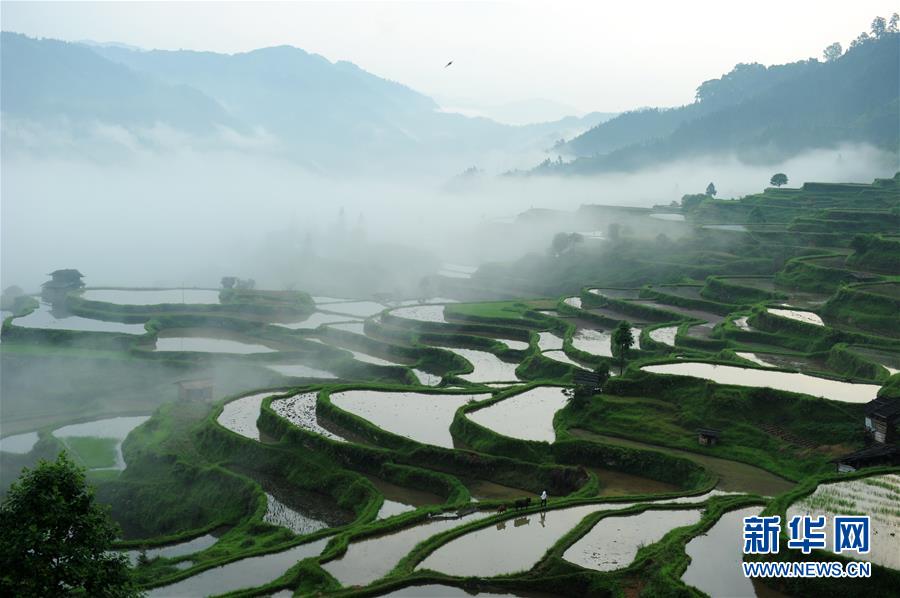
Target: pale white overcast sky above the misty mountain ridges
605,56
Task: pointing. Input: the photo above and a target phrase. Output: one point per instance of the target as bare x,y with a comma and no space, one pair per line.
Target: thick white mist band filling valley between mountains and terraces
188,216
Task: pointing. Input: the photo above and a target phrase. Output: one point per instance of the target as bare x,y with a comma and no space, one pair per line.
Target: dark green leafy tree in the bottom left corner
55,540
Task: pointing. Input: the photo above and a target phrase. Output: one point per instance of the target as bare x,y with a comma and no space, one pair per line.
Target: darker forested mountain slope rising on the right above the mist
758,113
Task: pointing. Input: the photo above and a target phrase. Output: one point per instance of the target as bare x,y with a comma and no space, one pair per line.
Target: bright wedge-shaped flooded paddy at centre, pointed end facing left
528,415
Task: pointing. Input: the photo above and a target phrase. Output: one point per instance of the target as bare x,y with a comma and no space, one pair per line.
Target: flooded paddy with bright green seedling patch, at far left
82,439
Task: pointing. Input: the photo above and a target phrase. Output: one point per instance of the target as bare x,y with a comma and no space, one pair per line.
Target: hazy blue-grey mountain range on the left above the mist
282,100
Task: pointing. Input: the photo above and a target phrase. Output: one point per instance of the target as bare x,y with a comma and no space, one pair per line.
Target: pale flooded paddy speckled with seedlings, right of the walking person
614,541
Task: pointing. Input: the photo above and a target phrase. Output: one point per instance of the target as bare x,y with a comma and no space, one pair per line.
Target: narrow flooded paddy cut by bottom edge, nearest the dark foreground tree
246,573
